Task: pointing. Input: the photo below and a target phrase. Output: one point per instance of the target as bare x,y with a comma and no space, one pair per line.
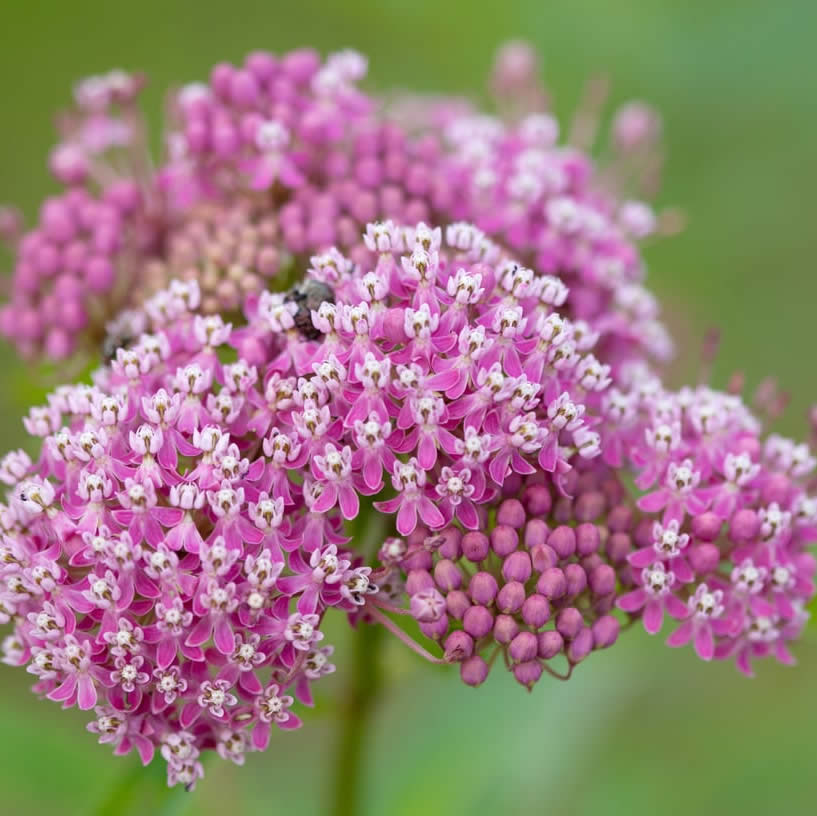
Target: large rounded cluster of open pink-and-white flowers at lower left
159,563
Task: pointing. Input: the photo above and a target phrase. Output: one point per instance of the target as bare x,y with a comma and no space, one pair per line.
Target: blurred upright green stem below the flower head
355,715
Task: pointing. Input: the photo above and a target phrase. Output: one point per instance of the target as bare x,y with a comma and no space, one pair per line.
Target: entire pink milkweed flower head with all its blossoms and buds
460,353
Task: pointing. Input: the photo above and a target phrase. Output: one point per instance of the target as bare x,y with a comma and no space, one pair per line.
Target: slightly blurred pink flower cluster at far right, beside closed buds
726,553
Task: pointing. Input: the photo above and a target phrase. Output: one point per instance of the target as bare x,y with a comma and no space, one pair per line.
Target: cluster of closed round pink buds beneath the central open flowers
539,586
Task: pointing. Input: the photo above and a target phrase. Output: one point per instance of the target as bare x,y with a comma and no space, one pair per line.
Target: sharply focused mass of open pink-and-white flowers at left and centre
162,553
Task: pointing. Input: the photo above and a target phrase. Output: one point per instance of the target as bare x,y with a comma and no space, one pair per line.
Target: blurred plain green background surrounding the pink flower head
641,729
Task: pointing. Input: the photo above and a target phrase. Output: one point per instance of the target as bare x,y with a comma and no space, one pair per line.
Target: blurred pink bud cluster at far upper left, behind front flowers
75,270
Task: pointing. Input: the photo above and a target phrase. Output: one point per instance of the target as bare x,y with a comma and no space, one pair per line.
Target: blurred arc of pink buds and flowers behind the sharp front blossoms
288,157
